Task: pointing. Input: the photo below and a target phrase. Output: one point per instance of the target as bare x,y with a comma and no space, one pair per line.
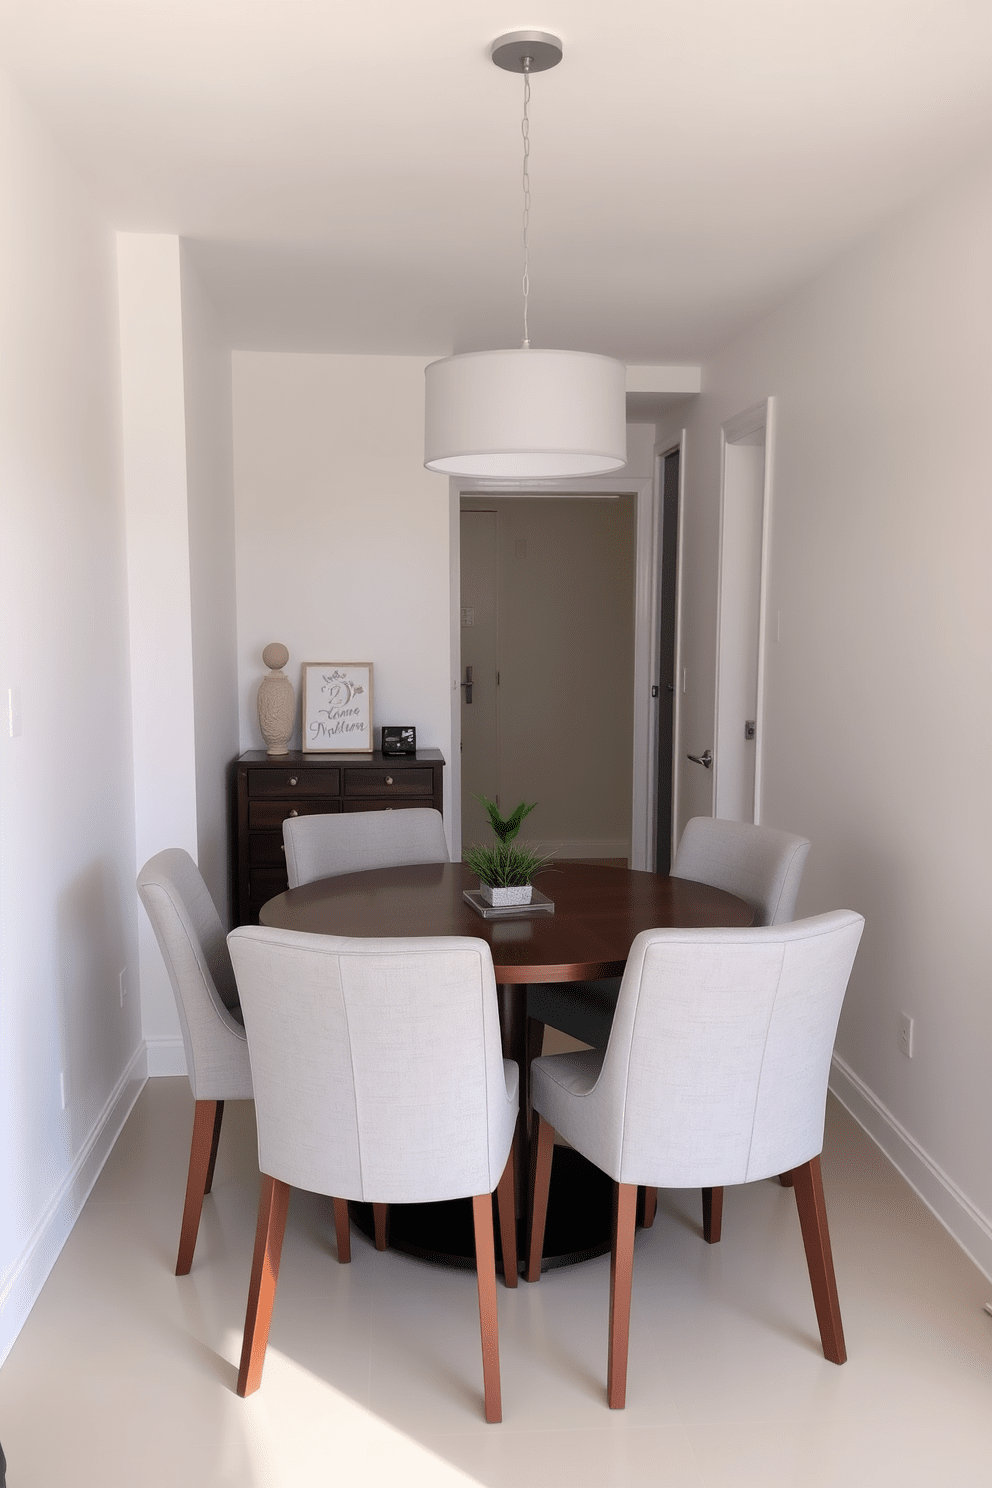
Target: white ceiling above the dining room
350,173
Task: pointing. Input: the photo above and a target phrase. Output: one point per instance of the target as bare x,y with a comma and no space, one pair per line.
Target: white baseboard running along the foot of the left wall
22,1286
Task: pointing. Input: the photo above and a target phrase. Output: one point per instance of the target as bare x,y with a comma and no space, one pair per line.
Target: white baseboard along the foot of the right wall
944,1199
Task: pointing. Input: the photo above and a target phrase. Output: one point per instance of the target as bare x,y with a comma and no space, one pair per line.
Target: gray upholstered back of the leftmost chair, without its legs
193,941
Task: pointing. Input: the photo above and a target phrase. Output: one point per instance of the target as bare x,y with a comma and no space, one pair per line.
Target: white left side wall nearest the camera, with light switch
68,913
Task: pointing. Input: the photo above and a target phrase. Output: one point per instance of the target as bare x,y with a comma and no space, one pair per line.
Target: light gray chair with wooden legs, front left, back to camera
379,1077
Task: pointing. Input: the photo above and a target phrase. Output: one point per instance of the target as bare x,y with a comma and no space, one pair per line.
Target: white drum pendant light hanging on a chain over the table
526,414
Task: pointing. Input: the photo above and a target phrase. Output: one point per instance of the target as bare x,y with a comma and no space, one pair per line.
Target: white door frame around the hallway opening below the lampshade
646,493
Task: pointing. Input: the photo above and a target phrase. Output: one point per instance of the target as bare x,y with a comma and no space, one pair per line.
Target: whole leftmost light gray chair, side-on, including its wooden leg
193,941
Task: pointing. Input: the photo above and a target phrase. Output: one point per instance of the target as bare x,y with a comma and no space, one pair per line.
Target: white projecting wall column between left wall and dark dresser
179,498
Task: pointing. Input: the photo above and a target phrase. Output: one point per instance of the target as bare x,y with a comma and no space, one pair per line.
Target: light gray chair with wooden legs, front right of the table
716,1074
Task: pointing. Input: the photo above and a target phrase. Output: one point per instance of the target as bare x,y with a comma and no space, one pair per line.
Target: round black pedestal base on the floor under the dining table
578,1221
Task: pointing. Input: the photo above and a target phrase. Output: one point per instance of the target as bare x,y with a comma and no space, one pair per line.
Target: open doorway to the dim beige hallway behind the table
548,627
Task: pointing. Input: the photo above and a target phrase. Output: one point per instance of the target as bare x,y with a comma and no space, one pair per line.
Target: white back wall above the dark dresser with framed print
341,535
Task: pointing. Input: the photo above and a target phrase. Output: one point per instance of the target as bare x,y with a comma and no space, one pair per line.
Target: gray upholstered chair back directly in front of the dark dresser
326,846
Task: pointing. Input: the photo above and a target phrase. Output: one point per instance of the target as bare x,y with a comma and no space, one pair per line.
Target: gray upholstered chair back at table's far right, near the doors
758,864
